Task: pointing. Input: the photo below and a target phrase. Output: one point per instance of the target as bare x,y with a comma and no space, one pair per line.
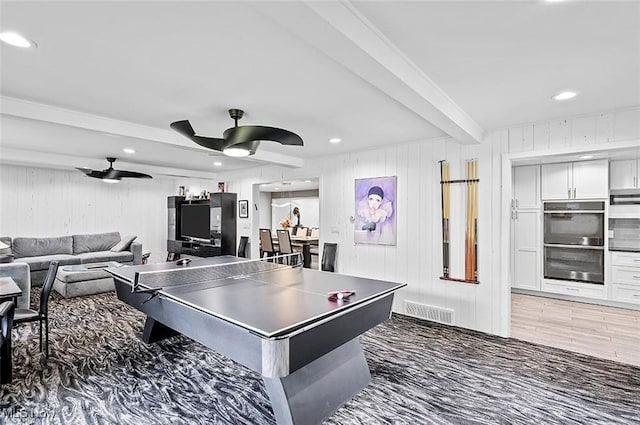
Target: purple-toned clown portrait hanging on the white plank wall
375,211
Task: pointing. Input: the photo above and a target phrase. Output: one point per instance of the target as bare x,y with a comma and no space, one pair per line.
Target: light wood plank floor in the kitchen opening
600,331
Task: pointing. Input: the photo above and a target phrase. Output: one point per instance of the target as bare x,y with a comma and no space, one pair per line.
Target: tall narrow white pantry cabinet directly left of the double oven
525,228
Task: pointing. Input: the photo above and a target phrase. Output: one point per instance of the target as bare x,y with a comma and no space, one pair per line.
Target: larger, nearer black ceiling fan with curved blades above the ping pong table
239,140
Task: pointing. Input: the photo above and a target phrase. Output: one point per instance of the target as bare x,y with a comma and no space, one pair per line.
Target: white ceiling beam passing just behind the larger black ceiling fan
41,112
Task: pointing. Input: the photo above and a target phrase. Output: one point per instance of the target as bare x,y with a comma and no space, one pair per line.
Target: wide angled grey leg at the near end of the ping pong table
311,394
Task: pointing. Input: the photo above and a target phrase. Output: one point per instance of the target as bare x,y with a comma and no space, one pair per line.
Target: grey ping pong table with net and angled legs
272,318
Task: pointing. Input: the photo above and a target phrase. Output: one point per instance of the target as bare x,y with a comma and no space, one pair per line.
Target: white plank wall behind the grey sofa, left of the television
47,202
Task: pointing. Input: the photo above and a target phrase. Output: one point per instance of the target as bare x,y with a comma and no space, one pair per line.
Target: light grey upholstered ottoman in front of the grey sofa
84,279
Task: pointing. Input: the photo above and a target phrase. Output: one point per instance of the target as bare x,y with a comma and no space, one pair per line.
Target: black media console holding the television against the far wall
201,227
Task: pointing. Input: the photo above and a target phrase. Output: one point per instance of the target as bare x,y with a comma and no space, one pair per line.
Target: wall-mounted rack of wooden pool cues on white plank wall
471,234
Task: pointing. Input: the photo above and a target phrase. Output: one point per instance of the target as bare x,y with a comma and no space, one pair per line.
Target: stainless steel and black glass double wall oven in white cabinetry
574,241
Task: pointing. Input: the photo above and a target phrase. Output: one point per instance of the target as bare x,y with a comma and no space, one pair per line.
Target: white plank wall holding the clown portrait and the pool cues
417,257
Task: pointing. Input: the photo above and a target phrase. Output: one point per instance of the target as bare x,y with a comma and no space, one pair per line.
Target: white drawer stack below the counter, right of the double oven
625,277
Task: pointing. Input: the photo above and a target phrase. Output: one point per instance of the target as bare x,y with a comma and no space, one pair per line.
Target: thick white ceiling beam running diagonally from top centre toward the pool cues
341,32
